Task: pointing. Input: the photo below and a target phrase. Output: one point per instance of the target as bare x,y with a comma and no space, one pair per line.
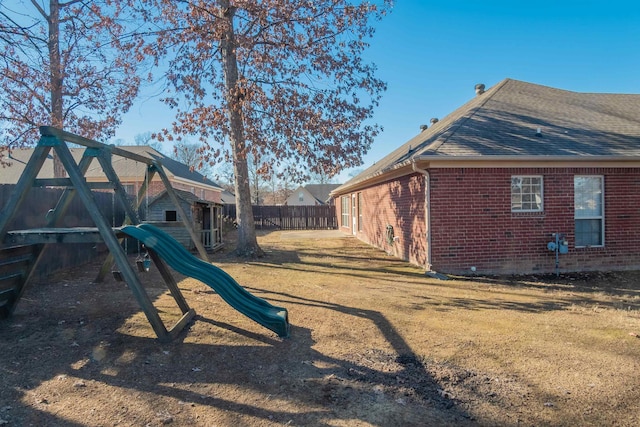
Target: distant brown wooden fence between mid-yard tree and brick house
291,217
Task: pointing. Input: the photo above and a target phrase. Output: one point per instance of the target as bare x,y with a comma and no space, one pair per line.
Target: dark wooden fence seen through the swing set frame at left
33,215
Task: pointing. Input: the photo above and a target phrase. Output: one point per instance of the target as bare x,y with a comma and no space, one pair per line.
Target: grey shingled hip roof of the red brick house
516,120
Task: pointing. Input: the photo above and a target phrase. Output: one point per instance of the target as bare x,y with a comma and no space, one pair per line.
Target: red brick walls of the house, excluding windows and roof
472,223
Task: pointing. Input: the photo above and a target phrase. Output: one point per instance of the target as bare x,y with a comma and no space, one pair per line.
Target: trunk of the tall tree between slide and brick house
247,242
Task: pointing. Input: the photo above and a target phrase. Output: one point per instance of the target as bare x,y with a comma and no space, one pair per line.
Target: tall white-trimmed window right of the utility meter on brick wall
588,201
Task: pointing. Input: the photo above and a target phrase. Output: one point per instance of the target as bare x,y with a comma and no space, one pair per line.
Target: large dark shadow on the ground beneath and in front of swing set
76,343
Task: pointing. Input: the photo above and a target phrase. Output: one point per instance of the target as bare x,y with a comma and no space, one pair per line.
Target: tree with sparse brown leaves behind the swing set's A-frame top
66,64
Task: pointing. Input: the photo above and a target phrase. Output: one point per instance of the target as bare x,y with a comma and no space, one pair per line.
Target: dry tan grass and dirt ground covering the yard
374,342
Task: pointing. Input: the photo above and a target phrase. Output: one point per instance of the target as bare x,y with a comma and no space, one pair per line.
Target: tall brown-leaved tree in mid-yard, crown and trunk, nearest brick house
278,78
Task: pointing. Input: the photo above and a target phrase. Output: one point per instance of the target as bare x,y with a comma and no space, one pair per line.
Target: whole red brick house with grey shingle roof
483,190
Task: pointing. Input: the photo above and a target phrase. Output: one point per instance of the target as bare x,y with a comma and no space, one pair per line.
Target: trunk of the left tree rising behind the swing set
56,78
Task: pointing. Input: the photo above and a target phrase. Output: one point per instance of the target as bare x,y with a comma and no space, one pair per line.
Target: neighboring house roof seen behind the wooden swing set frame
125,168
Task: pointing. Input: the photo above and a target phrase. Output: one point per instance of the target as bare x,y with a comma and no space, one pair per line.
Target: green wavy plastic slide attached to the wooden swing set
255,308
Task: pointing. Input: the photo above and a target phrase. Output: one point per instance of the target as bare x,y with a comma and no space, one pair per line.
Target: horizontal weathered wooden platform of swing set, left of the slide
36,236
